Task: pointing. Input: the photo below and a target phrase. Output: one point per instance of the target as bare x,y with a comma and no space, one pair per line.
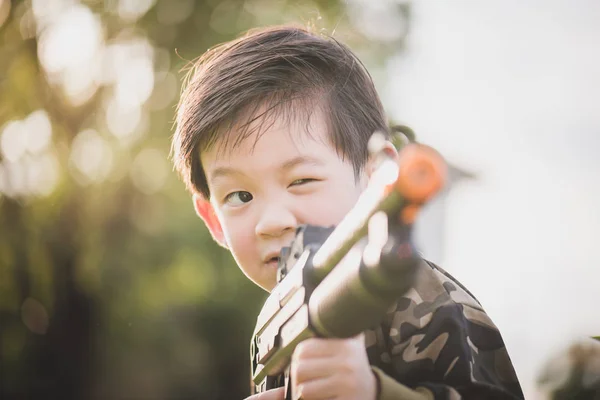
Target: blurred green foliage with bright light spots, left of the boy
110,287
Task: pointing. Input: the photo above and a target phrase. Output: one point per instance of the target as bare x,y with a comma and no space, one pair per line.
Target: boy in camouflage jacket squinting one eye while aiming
272,132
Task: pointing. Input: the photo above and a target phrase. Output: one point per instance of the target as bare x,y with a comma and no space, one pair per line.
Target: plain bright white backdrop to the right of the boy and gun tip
510,90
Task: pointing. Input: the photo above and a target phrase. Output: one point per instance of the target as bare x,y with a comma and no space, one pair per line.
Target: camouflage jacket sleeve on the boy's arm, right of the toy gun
438,337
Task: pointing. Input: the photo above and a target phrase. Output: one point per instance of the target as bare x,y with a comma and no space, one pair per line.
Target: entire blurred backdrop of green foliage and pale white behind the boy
110,287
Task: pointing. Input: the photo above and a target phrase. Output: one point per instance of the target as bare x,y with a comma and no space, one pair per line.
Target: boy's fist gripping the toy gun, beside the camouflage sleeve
333,369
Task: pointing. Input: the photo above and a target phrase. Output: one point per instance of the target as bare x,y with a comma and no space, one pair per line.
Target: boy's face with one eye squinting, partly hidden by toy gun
262,190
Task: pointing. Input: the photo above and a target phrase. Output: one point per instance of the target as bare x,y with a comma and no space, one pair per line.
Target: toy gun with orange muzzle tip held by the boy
338,282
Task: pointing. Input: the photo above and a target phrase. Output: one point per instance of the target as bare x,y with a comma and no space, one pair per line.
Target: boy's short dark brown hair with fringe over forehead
285,69
